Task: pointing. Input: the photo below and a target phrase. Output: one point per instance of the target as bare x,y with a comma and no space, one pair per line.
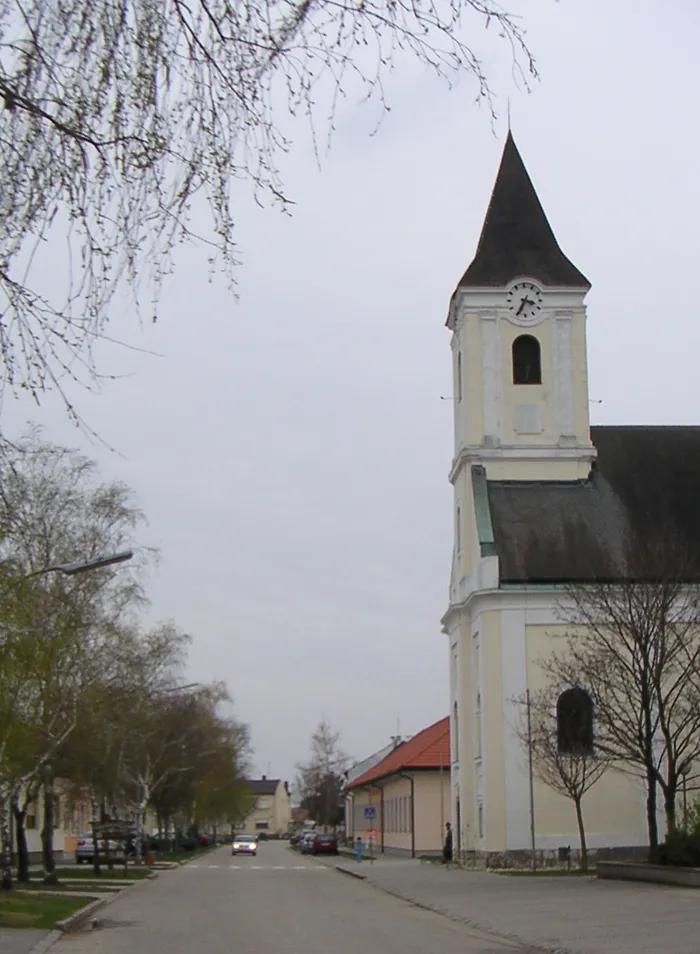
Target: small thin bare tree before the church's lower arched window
561,747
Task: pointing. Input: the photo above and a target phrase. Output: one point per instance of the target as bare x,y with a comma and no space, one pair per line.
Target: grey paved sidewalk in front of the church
577,915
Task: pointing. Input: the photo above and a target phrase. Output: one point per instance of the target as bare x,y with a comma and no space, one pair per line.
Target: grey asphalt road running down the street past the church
276,903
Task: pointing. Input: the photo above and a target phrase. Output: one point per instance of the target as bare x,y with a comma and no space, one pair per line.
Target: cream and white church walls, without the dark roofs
508,431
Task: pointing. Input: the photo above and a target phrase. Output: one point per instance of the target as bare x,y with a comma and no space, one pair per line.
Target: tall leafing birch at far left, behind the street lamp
57,633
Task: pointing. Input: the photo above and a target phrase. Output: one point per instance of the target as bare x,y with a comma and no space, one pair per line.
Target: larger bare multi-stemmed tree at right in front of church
636,649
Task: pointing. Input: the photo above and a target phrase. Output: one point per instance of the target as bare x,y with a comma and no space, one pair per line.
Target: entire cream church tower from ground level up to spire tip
518,323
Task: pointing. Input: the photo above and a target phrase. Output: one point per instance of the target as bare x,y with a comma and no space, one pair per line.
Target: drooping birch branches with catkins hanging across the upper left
119,115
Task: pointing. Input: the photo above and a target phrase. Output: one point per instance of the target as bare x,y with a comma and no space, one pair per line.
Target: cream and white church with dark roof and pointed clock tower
541,500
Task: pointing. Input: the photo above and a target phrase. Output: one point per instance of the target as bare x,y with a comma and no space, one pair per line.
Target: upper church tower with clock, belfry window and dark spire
519,344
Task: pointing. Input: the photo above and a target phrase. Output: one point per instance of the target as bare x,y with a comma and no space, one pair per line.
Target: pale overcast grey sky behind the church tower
290,446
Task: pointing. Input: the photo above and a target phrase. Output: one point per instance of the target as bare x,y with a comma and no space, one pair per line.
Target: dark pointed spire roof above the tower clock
516,238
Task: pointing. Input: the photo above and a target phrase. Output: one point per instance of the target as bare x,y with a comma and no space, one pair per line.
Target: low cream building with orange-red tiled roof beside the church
405,796
